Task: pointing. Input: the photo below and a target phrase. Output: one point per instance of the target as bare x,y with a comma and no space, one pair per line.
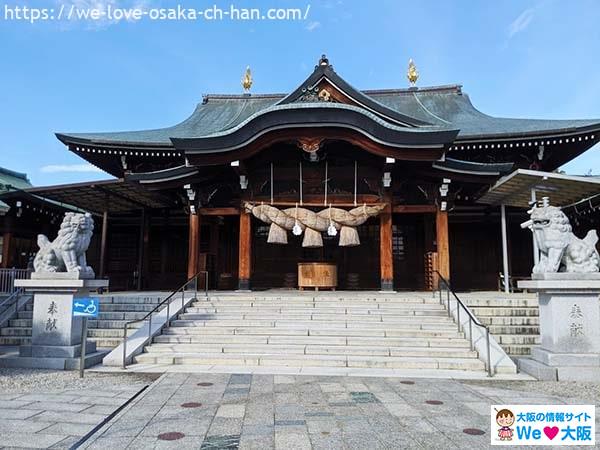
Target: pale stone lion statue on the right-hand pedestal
560,249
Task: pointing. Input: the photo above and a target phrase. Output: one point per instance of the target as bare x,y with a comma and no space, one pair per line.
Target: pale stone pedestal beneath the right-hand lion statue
569,327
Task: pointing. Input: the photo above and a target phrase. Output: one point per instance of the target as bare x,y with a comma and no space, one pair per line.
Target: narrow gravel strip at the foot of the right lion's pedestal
569,389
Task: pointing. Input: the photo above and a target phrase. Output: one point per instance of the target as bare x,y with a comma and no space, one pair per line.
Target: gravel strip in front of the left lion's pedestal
47,381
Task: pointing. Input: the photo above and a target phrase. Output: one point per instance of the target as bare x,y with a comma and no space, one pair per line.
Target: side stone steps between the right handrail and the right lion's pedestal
513,319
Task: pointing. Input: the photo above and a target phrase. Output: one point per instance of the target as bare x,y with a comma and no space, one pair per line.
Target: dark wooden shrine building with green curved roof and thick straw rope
382,187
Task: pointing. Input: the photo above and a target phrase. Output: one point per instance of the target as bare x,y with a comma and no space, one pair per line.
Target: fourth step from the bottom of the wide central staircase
291,331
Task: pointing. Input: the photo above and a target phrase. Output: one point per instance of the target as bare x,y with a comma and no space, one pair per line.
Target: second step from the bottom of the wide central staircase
299,349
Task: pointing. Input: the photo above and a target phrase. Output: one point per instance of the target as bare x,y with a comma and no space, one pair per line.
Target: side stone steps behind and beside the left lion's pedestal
107,331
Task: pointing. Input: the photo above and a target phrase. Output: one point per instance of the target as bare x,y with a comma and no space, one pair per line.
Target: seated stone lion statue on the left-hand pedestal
67,252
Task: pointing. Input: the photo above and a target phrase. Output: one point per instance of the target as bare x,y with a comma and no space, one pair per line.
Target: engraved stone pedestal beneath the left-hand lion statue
56,334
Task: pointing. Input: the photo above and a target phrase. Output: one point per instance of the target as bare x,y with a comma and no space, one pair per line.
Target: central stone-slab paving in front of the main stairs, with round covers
260,412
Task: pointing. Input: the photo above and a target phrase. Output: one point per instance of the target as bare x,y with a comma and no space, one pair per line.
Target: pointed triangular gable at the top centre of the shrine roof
324,85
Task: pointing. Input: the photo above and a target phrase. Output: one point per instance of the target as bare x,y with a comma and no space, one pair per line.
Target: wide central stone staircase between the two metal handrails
355,330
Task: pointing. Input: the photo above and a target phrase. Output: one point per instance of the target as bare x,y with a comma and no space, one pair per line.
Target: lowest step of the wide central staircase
395,362
